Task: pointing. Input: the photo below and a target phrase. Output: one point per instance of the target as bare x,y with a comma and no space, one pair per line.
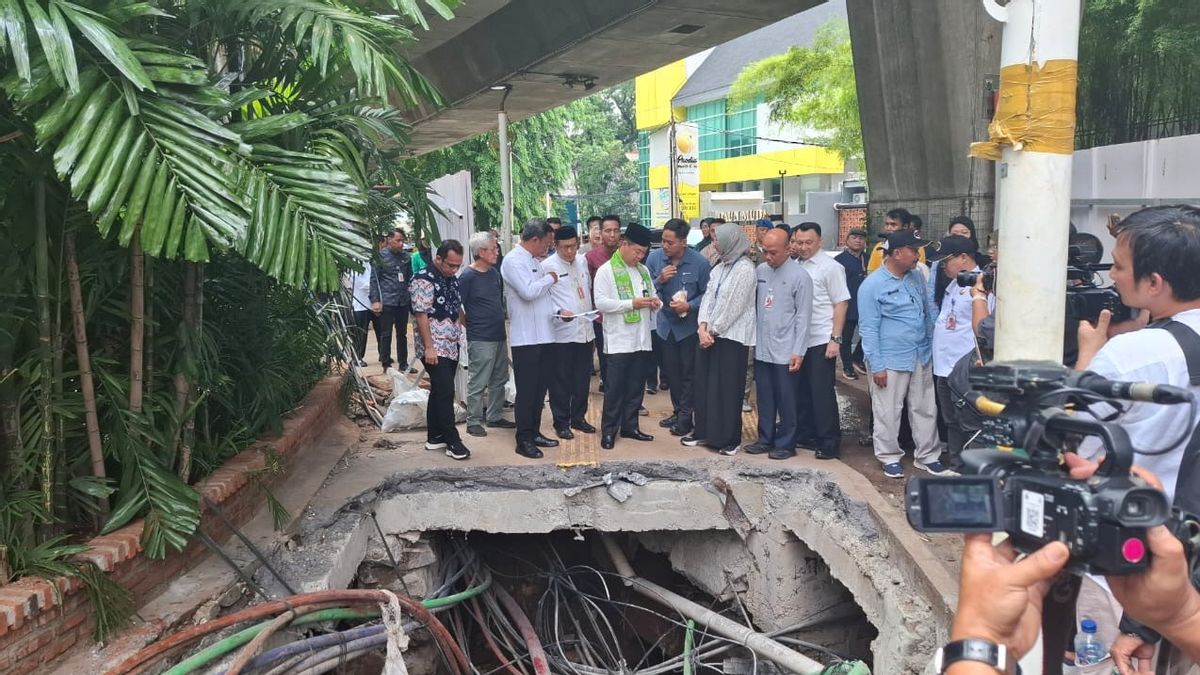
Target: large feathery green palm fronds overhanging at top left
271,170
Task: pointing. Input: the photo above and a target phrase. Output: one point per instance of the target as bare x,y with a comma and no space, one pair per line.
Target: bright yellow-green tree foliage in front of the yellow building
812,88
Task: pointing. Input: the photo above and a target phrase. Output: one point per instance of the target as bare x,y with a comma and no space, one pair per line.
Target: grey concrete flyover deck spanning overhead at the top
533,45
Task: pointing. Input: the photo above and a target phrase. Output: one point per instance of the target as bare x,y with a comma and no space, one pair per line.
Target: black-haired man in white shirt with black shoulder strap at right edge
1154,270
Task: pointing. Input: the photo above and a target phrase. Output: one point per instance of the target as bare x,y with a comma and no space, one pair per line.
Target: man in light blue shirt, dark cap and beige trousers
896,319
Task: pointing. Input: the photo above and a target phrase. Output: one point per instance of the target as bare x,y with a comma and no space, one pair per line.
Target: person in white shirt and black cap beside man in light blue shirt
953,337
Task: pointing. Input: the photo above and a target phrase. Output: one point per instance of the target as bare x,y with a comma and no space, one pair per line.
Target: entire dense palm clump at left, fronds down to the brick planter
247,135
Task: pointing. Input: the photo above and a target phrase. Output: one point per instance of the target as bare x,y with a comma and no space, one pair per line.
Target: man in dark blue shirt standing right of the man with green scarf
681,278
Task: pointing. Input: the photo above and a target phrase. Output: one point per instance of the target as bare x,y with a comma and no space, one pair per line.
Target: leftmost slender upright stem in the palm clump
43,294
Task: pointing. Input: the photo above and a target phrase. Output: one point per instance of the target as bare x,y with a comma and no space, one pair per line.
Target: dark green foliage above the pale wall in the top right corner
1139,71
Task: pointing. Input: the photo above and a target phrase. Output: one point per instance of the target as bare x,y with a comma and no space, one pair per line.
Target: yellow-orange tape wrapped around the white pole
1036,110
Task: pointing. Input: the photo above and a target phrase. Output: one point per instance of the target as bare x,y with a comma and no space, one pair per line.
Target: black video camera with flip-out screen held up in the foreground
1018,486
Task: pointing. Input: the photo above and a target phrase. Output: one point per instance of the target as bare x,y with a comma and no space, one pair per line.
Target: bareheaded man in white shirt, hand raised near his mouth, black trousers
532,333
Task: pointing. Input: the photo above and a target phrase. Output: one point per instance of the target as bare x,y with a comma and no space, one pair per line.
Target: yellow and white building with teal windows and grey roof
747,164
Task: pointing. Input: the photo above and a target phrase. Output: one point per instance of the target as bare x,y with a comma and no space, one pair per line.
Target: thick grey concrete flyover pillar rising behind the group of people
925,71
